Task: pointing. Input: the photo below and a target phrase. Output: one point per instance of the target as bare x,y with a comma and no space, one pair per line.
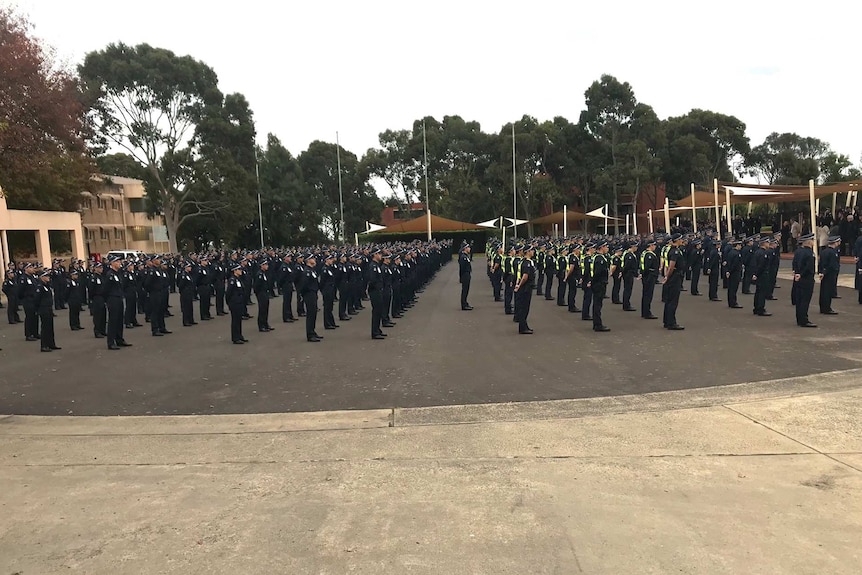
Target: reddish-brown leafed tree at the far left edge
44,162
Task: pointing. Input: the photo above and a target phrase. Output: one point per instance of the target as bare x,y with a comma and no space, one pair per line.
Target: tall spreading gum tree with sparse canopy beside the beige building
152,103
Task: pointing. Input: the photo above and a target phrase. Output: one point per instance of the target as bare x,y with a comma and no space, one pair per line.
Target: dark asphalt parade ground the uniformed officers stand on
436,355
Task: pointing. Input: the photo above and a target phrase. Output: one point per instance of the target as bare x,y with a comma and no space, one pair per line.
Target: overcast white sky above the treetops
311,68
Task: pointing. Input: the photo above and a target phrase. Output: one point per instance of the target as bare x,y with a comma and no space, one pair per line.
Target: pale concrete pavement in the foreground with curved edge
747,478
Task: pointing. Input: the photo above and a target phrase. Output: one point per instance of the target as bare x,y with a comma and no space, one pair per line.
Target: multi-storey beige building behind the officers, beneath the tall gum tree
114,217
